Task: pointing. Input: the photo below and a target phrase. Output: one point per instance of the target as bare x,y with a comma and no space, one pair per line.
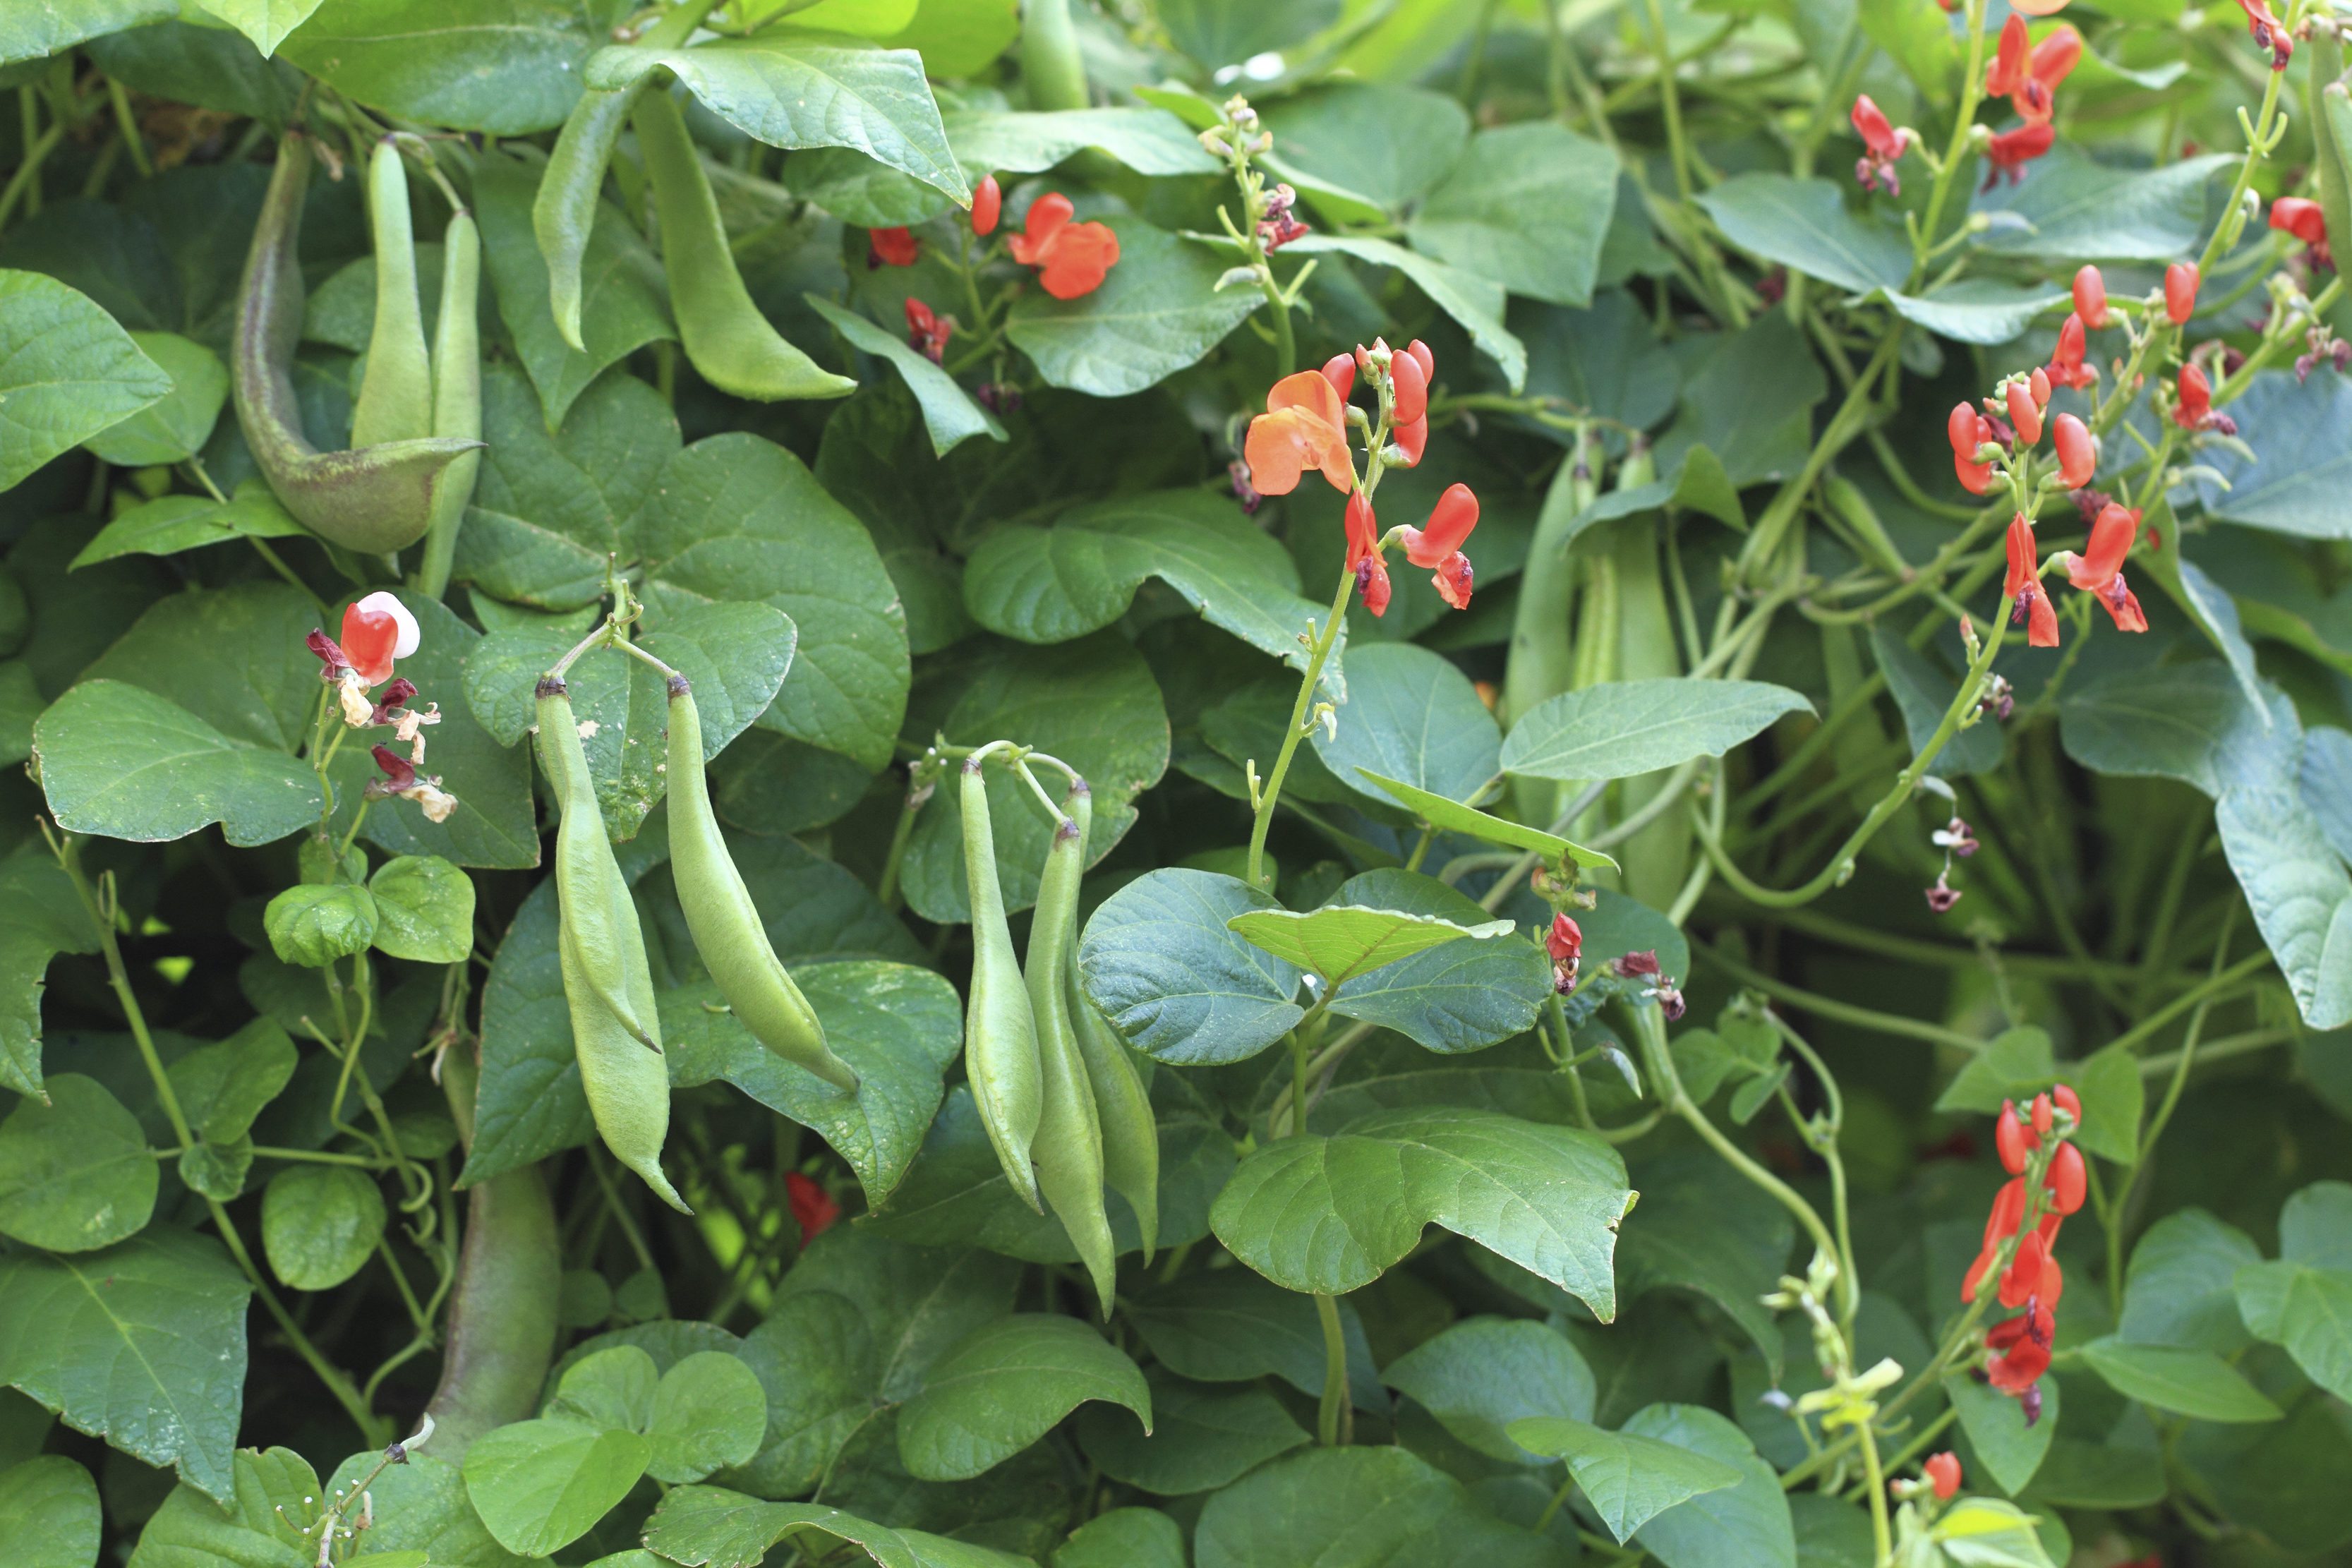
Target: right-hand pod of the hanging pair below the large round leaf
723,918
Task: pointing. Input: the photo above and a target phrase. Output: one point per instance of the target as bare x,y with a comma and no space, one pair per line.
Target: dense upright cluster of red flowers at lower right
2019,1351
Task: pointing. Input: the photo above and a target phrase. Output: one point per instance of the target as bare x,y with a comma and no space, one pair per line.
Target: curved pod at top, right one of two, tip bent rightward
728,340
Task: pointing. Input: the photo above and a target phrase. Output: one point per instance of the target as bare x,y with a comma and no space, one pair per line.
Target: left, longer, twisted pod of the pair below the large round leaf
608,981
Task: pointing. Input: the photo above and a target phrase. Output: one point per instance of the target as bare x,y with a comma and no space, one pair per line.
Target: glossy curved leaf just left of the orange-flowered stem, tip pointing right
1083,575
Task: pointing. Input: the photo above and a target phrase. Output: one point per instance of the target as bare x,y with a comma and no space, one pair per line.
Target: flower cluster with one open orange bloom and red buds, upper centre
1307,427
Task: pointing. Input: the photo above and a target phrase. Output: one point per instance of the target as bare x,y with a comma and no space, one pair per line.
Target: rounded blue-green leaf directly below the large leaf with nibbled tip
1485,1374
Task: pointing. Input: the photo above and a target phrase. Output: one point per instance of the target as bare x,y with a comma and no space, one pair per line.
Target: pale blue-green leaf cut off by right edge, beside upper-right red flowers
2304,457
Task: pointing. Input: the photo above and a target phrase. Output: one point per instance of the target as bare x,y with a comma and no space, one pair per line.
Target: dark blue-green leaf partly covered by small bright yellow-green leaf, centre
1450,998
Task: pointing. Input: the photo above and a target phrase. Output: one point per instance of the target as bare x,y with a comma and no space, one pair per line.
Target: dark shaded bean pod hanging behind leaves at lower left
502,1308
